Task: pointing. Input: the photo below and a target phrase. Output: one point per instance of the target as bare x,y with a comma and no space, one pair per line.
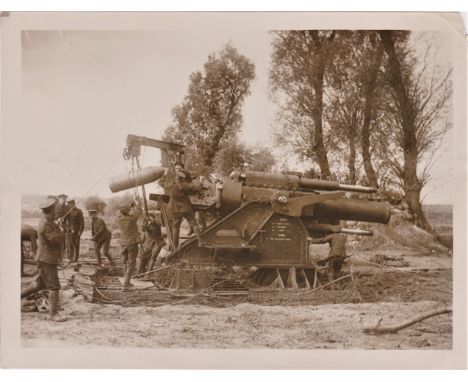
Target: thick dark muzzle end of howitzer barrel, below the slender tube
349,209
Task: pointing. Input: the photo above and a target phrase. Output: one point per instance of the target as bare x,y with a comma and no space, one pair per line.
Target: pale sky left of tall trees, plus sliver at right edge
84,91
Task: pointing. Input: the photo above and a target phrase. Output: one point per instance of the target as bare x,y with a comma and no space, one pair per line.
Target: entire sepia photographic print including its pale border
236,182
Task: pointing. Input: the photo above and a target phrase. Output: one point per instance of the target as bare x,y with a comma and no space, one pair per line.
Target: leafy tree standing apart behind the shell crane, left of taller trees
210,114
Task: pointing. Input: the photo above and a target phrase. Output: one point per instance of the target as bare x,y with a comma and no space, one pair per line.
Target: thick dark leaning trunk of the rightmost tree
411,184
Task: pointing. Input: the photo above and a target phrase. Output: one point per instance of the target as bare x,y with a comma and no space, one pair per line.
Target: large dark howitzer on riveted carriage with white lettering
265,225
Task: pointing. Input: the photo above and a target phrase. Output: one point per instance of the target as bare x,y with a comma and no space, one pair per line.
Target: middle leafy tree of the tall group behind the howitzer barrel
353,100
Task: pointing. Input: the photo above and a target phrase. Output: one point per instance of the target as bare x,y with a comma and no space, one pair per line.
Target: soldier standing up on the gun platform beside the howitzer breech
179,206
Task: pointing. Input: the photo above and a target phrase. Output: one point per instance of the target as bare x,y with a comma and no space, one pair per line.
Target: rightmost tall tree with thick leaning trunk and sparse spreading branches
417,116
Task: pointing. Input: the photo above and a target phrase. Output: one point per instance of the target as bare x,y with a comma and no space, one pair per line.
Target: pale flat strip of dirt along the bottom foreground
244,326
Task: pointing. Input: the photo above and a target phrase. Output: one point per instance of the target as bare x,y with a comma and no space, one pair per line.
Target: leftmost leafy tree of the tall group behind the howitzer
300,61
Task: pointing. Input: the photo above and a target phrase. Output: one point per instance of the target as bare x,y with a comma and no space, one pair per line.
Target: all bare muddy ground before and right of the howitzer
329,318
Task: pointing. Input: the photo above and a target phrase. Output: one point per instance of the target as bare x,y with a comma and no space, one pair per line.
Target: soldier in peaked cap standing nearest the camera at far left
51,240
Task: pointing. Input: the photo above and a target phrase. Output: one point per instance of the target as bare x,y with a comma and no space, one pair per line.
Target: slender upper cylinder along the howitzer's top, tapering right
293,181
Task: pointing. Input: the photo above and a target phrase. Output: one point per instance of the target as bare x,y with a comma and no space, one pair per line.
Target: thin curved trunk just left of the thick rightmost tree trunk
365,136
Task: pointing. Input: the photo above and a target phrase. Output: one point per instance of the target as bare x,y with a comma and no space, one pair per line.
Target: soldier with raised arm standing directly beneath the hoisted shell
129,239
